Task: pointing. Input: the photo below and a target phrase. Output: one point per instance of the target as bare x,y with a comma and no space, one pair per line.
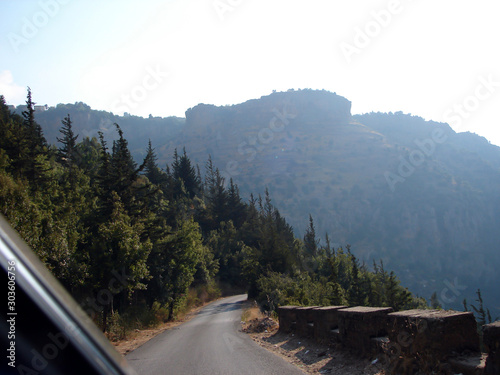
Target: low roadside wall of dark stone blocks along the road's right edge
430,336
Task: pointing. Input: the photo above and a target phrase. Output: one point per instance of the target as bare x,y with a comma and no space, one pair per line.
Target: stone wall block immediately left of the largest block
358,325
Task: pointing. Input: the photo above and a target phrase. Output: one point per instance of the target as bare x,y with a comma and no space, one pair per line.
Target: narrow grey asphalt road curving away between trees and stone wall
208,344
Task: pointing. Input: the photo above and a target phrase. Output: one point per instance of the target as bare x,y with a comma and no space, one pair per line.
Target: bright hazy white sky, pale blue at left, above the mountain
437,59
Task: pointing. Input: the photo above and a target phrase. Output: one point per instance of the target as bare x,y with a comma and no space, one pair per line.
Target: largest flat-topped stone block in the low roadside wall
429,337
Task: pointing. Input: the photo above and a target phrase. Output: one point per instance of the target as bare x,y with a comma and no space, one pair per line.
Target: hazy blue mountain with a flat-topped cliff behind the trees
411,192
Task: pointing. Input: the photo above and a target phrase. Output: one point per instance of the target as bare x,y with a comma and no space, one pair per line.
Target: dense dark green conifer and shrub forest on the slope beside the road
129,239
